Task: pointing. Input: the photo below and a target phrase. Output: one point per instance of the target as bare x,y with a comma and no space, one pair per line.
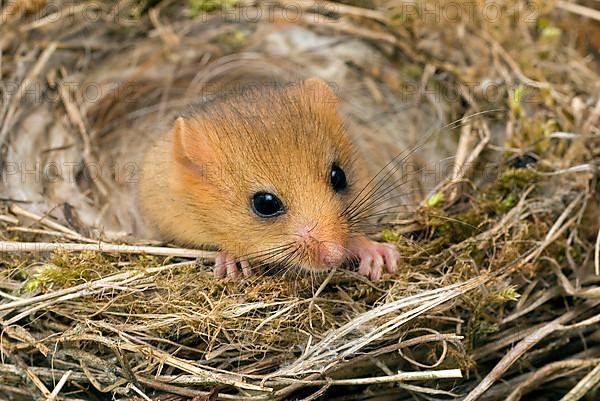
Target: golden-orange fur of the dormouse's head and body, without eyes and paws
198,179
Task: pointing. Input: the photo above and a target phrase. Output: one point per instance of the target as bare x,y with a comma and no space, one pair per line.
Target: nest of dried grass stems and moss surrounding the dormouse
498,295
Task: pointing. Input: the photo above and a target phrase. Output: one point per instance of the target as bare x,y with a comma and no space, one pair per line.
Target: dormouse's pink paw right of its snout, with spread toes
373,256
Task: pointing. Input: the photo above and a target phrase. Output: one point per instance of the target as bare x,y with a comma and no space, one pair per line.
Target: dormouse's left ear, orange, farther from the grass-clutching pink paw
190,145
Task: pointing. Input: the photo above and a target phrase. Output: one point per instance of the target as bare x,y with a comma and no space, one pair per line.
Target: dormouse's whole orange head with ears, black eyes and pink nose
271,175
